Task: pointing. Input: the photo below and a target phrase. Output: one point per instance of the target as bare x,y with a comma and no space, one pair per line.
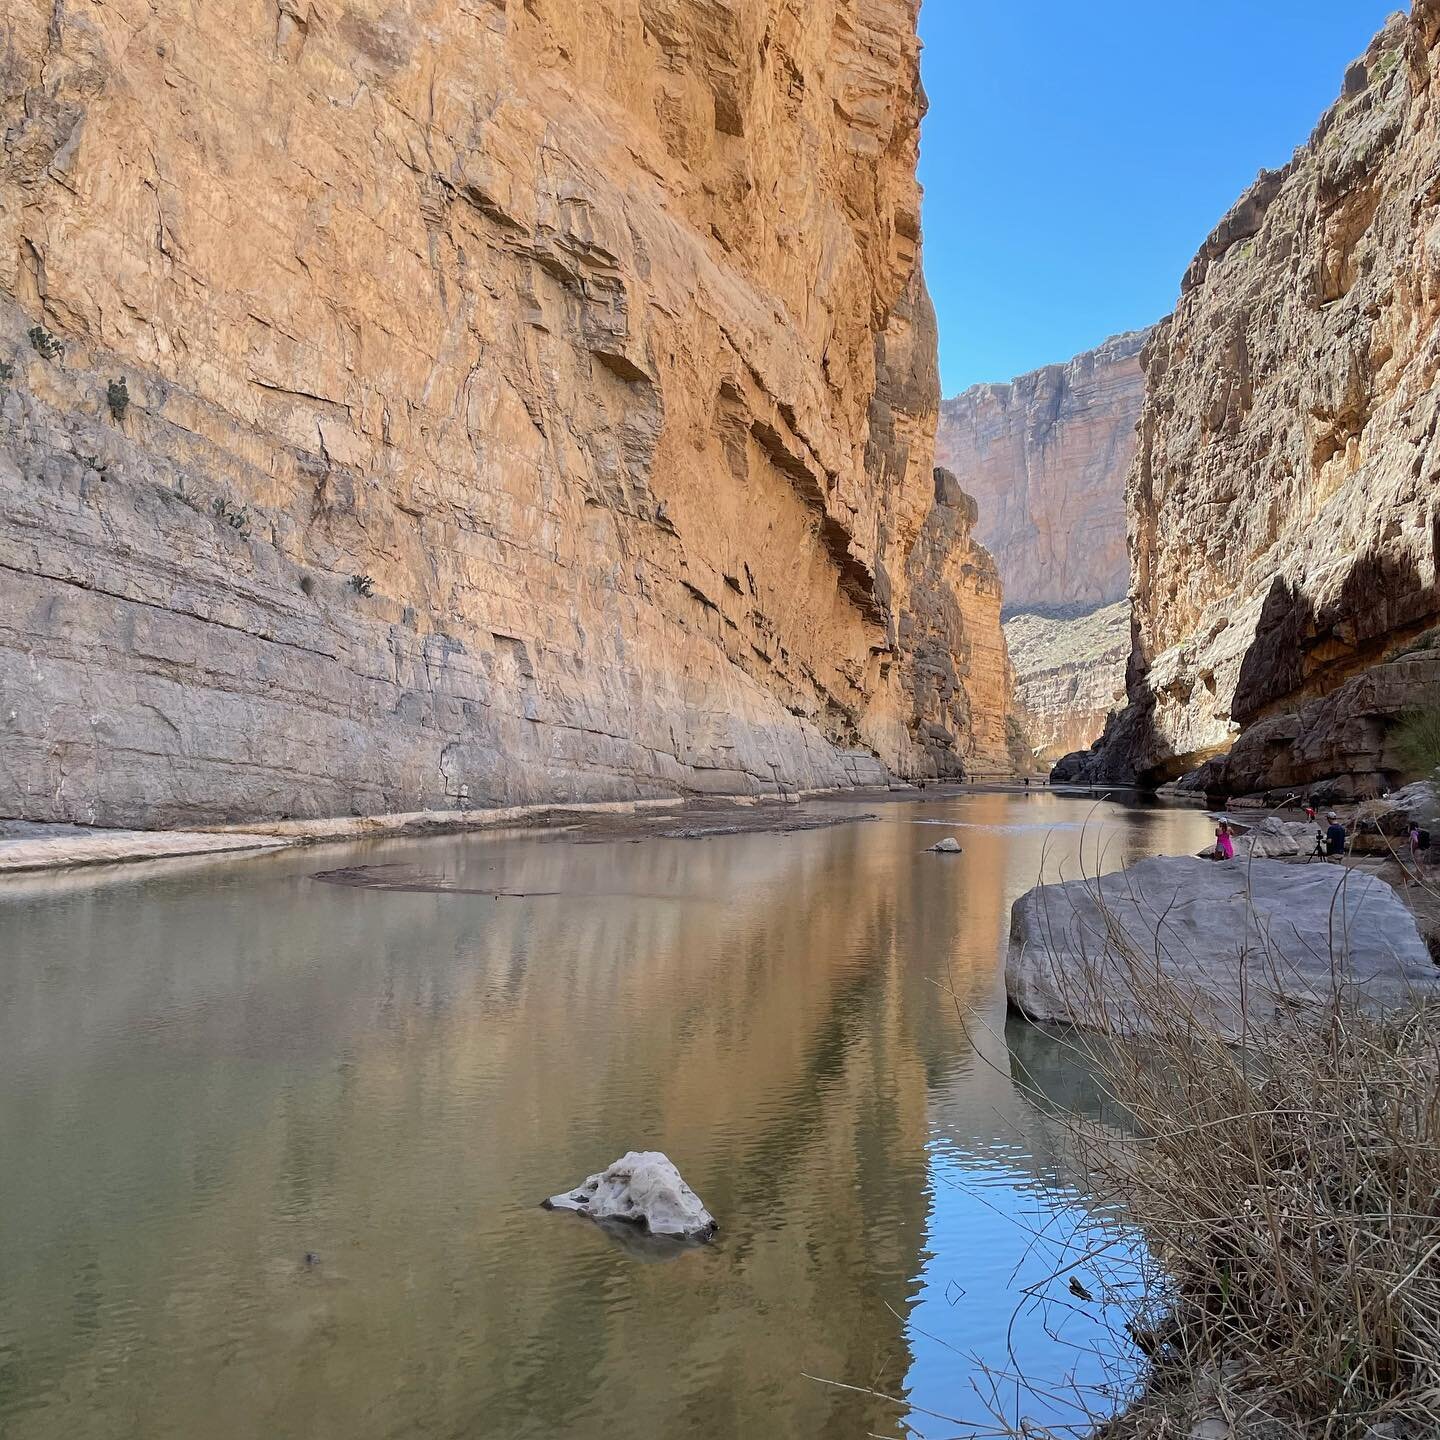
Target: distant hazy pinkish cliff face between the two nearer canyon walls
1046,459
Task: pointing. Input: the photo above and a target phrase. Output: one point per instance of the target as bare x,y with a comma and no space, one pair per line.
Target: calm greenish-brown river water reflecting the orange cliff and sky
210,1071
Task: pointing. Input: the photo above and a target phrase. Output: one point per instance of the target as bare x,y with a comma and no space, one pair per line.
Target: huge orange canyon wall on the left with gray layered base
459,401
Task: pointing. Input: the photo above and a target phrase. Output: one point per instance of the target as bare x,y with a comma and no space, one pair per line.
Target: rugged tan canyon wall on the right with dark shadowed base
1284,510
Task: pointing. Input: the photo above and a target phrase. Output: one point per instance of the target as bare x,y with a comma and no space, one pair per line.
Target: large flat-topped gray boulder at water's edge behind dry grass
1230,942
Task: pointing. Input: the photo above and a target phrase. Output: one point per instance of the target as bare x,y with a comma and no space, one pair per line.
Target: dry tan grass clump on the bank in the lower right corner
1290,1193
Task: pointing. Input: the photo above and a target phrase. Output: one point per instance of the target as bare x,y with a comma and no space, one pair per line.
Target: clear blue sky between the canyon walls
1079,152
